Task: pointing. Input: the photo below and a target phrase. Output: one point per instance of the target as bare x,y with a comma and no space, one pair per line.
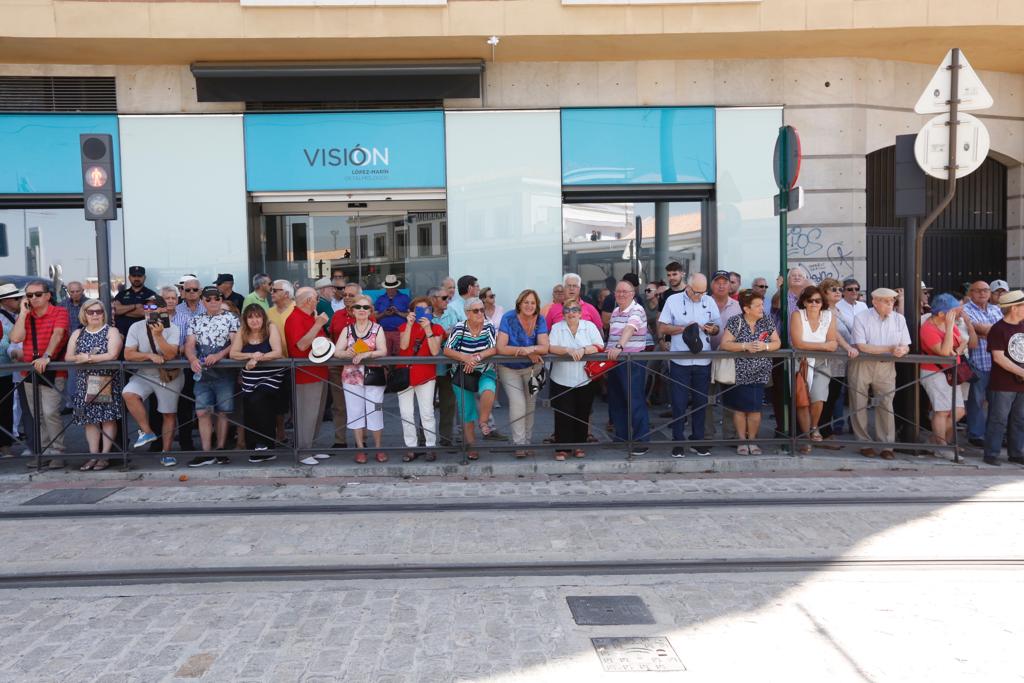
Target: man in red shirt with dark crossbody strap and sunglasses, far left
42,330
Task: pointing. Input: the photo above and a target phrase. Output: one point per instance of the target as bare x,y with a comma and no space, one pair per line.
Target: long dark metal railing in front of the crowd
785,365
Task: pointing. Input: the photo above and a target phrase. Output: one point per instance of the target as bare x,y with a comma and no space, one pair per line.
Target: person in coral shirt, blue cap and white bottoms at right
941,336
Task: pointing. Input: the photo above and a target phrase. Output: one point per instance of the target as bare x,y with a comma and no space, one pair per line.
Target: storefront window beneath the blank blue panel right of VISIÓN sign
605,241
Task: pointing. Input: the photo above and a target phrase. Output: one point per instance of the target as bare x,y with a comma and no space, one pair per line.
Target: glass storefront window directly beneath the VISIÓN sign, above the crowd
366,247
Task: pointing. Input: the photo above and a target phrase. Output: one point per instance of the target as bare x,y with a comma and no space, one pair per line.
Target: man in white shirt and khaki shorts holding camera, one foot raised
156,341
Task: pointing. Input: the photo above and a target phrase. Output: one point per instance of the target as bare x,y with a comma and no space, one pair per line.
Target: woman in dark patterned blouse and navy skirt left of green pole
751,332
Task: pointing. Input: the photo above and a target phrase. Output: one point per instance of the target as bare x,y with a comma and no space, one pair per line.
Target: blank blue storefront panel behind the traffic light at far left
39,153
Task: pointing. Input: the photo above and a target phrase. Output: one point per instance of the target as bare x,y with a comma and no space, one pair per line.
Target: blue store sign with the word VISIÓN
360,151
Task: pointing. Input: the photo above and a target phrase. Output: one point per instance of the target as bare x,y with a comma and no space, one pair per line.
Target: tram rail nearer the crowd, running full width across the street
220,509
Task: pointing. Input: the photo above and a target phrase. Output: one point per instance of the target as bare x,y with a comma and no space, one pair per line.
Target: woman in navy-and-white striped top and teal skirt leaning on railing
470,344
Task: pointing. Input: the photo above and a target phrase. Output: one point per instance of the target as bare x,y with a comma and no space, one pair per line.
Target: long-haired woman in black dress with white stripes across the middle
259,341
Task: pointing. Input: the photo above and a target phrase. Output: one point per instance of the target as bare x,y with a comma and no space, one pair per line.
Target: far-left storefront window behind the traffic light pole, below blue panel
40,239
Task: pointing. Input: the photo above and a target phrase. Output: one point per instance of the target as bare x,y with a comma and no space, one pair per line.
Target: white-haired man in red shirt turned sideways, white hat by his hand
302,327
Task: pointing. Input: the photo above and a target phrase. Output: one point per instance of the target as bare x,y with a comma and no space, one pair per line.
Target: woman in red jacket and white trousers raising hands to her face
419,336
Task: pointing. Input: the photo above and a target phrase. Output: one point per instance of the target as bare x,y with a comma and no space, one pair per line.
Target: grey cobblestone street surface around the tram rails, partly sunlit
920,625
